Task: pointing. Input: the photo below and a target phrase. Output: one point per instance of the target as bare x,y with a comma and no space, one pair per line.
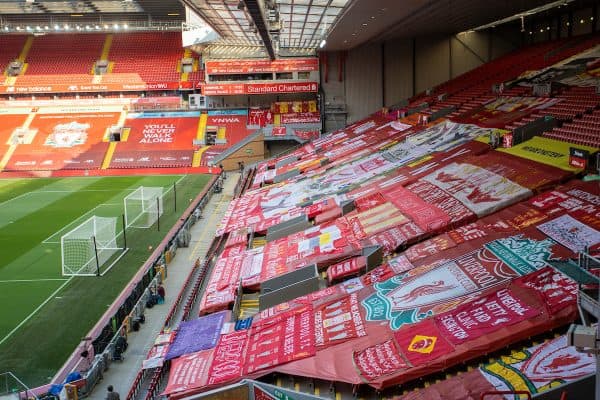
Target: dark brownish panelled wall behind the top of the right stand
382,74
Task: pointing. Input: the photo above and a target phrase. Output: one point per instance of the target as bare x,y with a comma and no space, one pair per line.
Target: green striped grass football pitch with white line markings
43,314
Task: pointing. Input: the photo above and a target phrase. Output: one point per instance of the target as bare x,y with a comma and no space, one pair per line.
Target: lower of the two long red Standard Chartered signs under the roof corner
209,89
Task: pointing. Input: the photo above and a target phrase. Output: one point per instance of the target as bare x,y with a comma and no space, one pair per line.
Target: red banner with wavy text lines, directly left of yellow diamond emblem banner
379,360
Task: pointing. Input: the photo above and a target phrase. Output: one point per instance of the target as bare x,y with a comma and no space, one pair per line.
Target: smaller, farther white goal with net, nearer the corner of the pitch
143,207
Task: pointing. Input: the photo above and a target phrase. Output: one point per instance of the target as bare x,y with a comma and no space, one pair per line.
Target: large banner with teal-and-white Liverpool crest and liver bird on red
403,298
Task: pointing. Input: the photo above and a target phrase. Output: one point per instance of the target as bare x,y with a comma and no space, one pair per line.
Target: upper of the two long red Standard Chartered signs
259,66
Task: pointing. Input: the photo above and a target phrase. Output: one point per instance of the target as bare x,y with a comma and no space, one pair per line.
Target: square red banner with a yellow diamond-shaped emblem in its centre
422,342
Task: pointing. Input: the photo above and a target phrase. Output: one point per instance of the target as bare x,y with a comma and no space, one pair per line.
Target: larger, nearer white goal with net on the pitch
87,249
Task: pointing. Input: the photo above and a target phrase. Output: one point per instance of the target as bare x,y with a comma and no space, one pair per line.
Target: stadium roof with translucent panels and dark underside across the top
276,24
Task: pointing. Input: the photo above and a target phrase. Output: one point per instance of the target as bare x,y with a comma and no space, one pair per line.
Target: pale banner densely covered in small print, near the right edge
571,233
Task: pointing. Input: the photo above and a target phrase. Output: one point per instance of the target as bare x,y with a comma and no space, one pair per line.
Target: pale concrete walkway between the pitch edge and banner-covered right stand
122,374
